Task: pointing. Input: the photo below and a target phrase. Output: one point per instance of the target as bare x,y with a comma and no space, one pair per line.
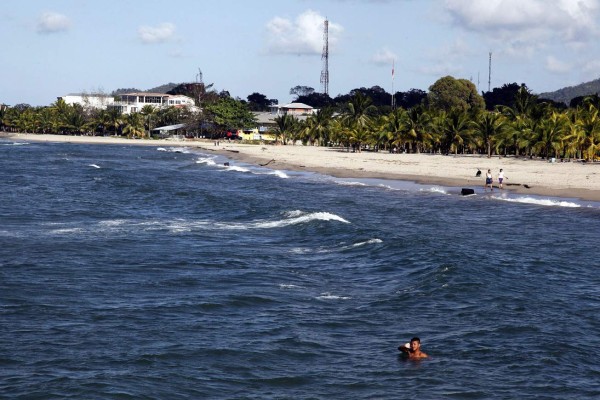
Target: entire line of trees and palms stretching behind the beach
450,118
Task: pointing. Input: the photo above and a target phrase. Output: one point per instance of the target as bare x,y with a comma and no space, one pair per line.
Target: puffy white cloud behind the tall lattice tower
304,36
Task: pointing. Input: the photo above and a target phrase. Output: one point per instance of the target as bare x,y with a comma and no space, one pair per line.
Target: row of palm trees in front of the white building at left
63,118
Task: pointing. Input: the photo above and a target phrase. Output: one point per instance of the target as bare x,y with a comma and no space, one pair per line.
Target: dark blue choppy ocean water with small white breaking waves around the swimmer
133,272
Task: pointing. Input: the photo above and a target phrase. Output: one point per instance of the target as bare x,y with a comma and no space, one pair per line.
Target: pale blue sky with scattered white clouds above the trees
52,48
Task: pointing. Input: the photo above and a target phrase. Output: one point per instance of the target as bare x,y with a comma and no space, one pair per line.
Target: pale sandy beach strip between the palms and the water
559,179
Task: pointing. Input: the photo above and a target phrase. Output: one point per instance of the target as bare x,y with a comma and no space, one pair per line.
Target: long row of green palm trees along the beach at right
529,127
